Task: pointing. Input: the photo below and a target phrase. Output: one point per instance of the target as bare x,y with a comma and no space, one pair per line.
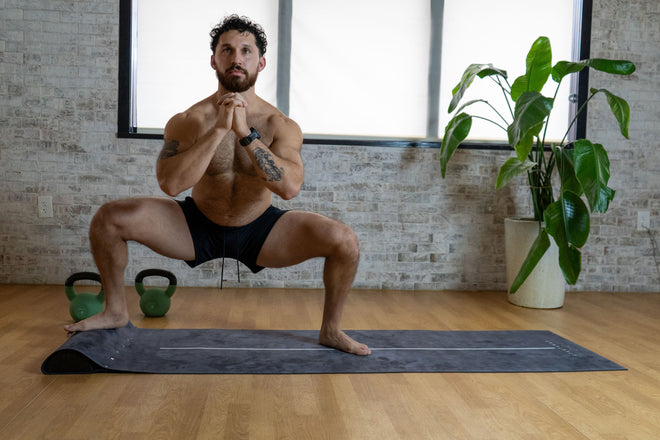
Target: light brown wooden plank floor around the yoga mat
600,405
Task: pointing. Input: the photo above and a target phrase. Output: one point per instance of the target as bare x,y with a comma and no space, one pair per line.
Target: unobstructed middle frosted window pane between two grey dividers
360,67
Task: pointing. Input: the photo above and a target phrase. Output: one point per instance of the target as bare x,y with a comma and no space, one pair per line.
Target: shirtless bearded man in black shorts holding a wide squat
234,150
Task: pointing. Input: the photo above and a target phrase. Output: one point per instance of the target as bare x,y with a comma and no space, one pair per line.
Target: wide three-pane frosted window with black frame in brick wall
344,69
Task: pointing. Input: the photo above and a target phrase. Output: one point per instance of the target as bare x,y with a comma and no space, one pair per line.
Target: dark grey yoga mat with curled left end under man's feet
213,351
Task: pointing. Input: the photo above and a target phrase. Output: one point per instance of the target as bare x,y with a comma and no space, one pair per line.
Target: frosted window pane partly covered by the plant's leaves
495,36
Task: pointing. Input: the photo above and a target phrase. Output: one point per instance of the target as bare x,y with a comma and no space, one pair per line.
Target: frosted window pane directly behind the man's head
174,56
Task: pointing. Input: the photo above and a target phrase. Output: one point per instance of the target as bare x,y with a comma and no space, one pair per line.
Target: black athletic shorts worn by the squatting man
242,243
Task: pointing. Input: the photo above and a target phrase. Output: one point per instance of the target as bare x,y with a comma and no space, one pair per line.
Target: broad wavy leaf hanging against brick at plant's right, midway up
592,168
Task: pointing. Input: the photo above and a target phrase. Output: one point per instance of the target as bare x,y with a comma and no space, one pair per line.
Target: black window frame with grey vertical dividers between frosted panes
125,83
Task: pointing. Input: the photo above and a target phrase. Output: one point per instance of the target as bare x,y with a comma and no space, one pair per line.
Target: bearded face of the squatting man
236,61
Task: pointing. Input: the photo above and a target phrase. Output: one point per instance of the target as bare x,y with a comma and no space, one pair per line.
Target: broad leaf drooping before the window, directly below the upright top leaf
531,110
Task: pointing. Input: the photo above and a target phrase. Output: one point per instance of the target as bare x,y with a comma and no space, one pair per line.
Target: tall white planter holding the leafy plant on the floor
545,287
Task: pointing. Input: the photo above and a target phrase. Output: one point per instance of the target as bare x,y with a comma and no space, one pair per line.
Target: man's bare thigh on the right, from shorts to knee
299,236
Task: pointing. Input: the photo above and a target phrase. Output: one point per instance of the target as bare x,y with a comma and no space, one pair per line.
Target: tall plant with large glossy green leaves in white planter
582,166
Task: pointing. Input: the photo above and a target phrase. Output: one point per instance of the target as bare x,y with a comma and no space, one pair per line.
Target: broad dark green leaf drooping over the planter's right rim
567,221
